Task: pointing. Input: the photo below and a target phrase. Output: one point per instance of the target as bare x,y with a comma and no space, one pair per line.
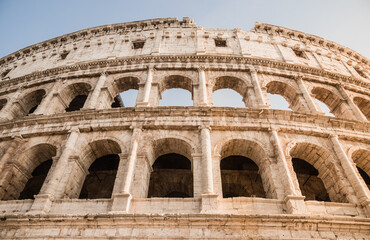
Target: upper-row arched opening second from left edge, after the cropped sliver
27,103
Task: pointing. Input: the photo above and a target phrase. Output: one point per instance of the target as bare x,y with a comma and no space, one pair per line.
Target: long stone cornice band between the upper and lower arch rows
157,118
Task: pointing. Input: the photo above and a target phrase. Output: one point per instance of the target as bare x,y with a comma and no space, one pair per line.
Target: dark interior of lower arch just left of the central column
171,177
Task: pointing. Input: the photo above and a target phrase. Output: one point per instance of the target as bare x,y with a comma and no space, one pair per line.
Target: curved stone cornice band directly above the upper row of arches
211,62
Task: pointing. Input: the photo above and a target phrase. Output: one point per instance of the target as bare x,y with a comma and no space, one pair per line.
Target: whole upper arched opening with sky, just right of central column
235,95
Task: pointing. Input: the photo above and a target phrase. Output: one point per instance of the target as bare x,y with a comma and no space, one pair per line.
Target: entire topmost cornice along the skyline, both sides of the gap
161,23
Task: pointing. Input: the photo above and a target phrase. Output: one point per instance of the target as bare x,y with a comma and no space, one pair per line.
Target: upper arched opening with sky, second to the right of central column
284,97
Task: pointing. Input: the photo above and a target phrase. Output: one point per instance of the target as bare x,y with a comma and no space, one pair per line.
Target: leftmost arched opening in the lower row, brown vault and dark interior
19,177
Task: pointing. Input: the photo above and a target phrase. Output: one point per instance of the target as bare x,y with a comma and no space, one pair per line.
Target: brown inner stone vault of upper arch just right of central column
234,83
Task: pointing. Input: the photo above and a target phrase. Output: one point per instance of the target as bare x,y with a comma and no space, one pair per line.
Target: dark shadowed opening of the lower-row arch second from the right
310,184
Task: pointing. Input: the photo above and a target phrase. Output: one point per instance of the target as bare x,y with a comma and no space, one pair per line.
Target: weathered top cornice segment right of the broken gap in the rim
308,39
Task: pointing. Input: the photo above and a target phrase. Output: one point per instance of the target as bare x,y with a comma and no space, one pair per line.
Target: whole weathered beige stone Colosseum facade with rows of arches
75,163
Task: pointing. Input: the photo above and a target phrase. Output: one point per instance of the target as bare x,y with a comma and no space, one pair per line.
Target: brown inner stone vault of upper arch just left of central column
176,81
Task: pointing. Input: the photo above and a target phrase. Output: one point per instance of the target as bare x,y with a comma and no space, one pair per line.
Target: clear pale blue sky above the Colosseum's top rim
26,22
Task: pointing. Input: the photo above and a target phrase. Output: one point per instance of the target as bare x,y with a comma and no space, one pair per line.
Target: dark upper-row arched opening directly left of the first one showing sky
73,97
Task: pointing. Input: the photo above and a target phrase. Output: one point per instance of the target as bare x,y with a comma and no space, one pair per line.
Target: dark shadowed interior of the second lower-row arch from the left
100,180
